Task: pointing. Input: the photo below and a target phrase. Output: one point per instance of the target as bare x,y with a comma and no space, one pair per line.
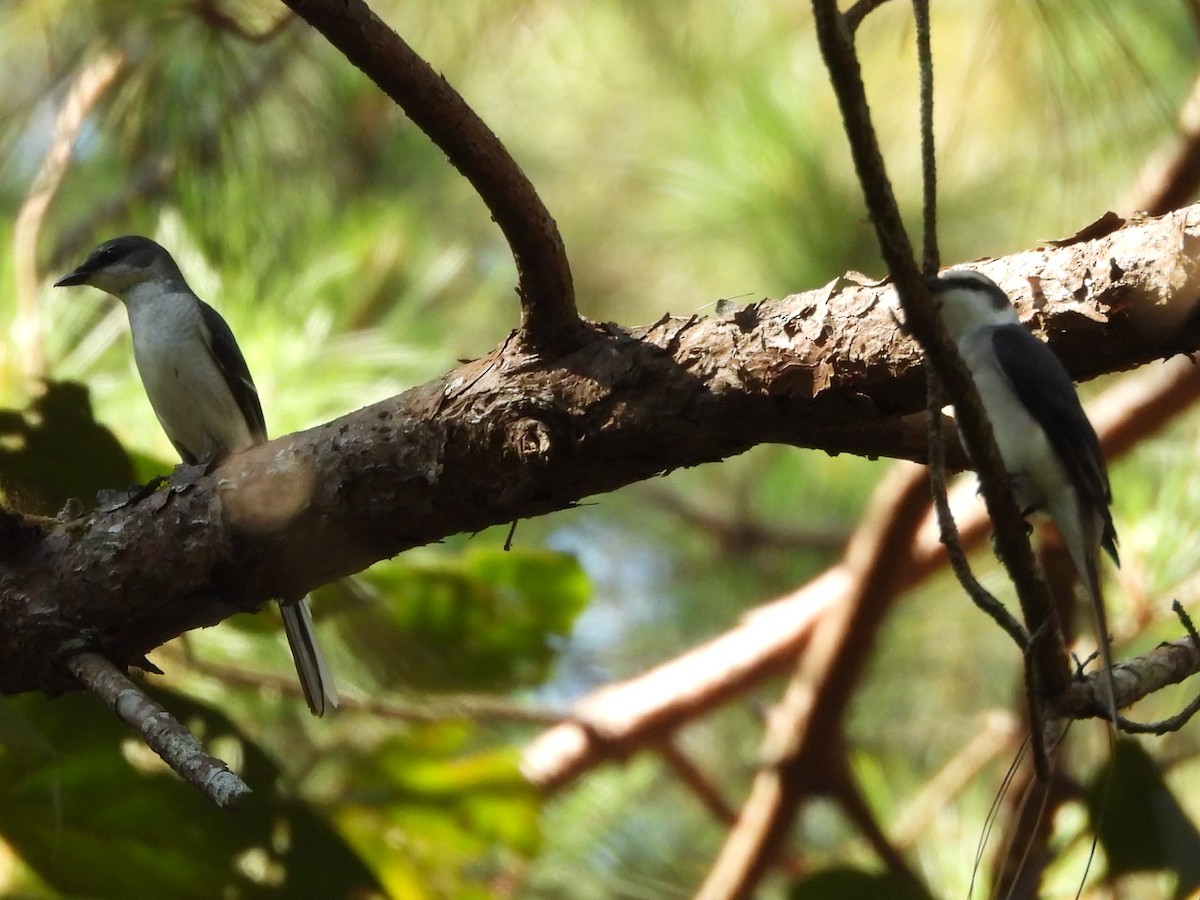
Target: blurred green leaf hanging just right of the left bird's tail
484,621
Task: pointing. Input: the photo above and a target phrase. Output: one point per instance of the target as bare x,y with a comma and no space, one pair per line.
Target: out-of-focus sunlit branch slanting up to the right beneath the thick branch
620,719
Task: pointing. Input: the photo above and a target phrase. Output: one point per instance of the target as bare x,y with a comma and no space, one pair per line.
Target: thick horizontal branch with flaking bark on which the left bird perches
511,436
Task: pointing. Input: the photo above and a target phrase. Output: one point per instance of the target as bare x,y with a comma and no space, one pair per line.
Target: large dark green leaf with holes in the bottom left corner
101,817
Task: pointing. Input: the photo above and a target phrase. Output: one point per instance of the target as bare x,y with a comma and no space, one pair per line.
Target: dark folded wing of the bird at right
1045,388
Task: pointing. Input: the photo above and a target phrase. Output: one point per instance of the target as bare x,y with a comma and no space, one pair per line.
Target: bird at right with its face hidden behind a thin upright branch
1047,443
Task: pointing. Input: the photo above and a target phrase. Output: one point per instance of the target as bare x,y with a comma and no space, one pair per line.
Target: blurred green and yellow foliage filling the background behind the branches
691,153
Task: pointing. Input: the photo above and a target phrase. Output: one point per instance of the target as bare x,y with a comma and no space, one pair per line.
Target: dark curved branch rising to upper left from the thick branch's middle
550,323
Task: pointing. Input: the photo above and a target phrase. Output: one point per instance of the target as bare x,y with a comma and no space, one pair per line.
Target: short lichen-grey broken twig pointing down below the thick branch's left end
159,729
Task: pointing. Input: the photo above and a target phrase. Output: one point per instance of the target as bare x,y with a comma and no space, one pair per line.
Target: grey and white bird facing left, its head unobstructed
202,393
